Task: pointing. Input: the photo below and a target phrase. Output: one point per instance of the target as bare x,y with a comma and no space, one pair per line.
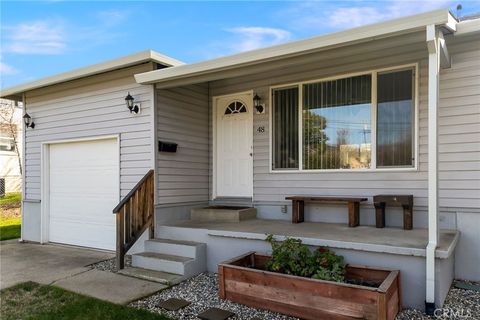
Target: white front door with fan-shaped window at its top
234,146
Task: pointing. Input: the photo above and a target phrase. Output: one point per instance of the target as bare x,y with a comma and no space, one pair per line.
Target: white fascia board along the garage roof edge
15,92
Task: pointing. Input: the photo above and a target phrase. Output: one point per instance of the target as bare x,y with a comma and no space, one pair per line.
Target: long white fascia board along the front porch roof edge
361,34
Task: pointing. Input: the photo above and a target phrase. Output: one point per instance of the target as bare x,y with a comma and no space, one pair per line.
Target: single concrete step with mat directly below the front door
223,213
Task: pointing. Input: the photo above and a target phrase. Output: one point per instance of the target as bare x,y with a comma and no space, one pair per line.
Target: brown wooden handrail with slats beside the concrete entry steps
134,215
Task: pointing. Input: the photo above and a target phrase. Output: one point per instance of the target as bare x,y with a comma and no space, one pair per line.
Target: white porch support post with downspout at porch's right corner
433,45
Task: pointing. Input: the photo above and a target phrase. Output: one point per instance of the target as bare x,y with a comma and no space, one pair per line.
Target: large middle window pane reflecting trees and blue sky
337,124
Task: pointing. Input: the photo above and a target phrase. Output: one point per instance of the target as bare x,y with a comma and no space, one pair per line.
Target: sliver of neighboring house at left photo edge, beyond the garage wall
10,145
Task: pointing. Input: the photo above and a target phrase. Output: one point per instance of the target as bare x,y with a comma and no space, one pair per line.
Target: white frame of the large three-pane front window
373,163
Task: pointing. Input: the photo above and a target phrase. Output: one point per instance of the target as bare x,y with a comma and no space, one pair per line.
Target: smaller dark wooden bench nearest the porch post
405,201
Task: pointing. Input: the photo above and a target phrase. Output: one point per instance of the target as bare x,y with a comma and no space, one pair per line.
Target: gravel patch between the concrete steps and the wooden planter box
202,292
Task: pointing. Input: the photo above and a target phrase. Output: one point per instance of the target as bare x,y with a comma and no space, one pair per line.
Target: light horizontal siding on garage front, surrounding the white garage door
90,107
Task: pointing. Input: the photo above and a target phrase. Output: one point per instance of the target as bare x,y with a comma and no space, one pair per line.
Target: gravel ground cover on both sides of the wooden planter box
203,293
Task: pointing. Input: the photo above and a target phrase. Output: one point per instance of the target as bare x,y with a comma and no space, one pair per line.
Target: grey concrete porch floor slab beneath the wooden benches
363,238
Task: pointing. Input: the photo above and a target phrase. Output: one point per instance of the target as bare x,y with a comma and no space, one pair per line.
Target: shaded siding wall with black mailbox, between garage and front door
182,117
